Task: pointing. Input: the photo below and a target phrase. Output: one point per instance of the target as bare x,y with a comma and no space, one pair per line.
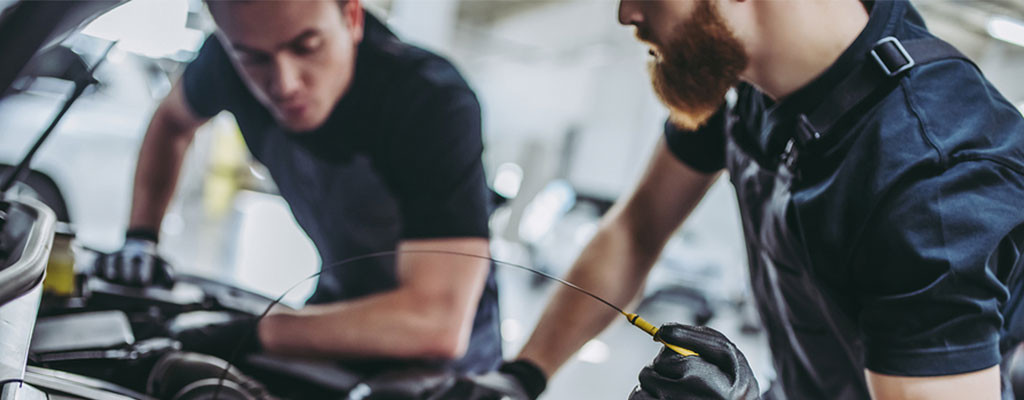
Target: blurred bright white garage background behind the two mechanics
570,121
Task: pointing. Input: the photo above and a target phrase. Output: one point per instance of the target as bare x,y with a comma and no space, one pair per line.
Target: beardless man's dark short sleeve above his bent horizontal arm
437,168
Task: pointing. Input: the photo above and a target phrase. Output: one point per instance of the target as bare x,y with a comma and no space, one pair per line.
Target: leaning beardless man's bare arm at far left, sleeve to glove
167,139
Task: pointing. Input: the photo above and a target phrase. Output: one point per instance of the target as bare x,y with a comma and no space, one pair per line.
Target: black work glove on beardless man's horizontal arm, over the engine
219,334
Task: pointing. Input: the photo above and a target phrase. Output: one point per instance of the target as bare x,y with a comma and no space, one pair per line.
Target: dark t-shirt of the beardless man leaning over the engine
398,159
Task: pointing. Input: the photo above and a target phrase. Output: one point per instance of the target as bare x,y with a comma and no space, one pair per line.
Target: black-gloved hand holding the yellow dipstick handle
720,372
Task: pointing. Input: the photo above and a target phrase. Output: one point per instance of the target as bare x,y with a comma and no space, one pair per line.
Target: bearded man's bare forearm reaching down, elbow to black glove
613,268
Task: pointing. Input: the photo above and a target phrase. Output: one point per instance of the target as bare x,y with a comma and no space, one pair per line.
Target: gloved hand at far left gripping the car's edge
137,263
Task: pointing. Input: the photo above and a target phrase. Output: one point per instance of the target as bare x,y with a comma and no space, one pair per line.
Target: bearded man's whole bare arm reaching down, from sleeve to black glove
617,261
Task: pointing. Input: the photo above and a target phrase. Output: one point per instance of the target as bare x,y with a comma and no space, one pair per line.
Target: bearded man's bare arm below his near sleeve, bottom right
978,385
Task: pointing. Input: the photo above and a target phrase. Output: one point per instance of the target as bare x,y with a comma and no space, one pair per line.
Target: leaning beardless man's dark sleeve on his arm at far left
207,80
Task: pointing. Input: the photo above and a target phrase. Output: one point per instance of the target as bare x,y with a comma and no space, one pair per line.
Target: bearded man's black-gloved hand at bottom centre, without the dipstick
520,380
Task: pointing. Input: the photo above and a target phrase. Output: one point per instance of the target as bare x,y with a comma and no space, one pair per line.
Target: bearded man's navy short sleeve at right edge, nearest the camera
932,275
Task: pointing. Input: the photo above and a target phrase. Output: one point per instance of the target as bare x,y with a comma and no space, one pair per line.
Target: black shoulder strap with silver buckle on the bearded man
889,60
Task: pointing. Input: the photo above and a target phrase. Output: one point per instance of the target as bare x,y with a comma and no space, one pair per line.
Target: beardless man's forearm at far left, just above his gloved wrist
157,172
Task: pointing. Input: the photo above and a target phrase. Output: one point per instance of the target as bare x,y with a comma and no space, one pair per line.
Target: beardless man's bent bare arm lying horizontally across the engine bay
430,316
